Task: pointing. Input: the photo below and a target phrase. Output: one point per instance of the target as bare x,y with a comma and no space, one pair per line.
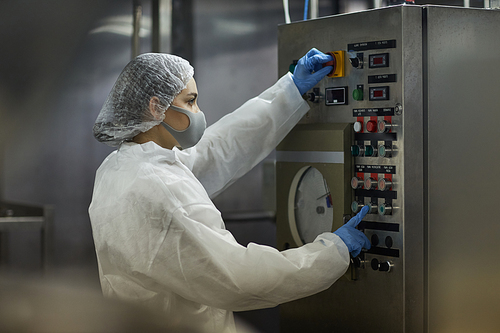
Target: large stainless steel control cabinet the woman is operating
421,94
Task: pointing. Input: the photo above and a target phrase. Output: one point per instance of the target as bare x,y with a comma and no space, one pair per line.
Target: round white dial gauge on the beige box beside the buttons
310,209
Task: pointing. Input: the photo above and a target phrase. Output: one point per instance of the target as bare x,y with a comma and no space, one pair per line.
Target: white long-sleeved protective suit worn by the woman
160,240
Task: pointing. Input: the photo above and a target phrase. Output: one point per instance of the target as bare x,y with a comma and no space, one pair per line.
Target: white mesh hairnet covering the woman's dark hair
126,110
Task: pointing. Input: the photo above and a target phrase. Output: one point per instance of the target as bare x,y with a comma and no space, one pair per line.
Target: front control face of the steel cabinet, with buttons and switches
364,97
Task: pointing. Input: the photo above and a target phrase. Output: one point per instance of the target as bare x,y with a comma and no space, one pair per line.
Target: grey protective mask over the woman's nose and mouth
192,134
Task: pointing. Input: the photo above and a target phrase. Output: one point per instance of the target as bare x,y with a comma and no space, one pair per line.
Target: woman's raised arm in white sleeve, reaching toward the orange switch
241,139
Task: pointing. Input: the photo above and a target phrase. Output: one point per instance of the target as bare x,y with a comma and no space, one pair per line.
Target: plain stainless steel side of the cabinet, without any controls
463,145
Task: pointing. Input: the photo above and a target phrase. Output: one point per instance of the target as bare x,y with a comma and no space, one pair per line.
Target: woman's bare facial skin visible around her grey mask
187,99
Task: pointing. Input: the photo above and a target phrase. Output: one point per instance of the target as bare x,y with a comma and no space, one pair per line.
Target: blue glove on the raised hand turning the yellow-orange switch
309,70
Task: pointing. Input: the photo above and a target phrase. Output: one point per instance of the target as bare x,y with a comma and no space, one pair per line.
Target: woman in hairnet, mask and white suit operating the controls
159,238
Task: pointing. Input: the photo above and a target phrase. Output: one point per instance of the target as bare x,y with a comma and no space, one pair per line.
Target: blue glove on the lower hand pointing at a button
352,237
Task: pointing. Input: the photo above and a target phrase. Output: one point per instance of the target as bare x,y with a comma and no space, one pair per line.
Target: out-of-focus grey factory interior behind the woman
58,62
